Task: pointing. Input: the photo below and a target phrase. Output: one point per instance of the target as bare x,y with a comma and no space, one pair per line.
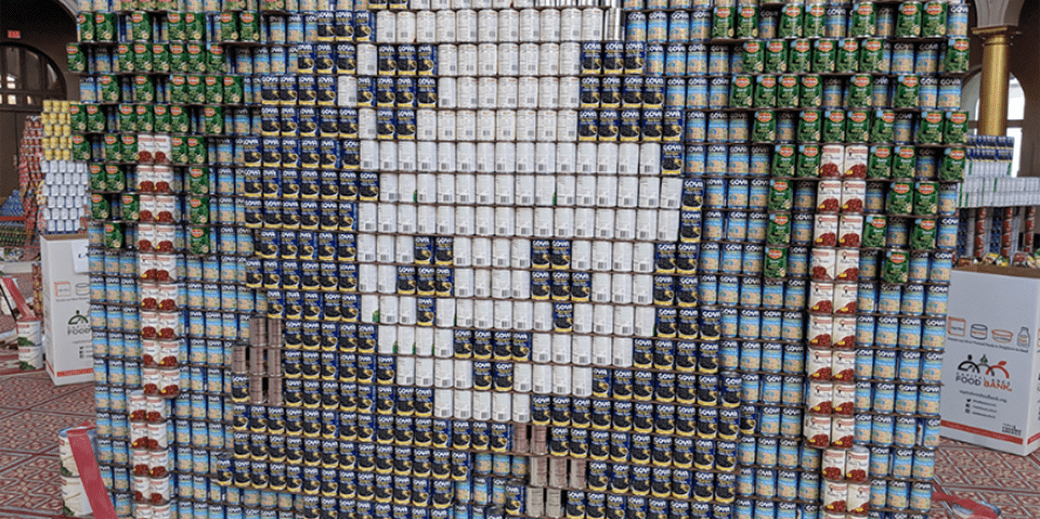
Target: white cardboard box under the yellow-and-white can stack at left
67,309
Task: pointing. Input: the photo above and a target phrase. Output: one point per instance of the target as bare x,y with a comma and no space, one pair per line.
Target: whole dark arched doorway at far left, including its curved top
28,77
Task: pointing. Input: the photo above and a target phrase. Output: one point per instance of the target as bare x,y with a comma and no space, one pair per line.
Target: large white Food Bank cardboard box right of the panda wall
992,394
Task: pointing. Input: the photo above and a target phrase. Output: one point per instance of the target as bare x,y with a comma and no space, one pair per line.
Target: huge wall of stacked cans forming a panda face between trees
486,259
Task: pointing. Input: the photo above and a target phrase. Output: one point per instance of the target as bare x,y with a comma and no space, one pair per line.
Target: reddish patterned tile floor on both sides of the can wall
33,411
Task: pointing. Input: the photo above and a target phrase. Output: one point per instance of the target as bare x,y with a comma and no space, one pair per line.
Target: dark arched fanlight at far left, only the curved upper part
28,77
